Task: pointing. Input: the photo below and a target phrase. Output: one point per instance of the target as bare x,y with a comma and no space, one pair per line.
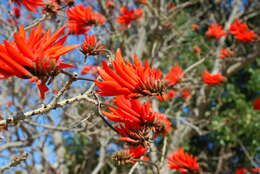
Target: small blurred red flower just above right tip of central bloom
174,76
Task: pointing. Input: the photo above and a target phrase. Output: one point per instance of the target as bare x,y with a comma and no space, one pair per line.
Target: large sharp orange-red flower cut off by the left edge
35,57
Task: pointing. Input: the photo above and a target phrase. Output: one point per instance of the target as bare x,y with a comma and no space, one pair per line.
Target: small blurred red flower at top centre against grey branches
129,16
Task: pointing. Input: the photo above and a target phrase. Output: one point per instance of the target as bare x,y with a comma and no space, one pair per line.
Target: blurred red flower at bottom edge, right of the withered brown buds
183,162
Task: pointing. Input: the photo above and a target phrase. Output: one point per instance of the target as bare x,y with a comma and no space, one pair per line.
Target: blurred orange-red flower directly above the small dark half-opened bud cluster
80,18
